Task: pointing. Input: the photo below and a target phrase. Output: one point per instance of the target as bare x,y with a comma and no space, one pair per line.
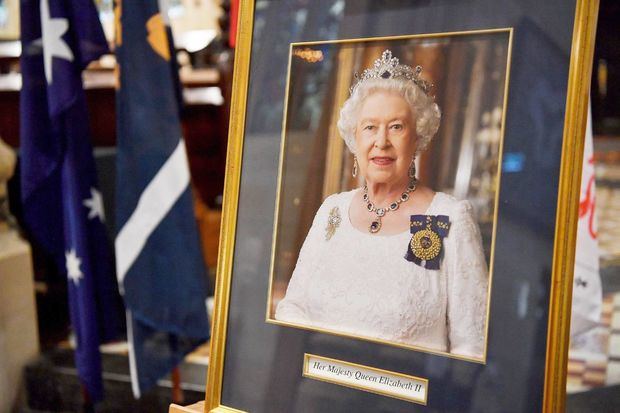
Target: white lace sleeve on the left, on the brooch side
293,307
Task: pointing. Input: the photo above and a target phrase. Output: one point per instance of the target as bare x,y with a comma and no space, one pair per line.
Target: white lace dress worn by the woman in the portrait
362,284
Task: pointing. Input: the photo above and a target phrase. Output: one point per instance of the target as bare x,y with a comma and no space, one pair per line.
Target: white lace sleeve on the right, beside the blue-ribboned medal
467,284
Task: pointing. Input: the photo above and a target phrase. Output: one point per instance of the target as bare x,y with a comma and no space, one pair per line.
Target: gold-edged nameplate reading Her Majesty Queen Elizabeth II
371,379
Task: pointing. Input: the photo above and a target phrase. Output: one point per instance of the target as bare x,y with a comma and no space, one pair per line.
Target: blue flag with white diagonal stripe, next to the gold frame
160,268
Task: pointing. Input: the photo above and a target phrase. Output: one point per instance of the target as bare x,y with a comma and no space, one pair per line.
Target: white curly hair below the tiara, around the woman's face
423,107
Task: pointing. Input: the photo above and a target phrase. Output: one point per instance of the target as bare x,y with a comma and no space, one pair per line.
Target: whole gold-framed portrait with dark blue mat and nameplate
400,206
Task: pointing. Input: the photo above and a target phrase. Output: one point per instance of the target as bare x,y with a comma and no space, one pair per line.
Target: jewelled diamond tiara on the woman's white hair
388,67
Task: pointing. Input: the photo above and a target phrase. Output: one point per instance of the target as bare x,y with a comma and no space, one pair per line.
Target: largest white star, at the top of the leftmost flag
53,45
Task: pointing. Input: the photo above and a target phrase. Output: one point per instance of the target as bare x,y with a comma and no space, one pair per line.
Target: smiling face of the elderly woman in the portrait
385,138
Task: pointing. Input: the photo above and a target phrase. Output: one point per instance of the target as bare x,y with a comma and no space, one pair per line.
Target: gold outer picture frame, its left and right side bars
579,70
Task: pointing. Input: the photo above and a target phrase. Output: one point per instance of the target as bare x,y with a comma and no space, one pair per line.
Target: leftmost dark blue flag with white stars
62,206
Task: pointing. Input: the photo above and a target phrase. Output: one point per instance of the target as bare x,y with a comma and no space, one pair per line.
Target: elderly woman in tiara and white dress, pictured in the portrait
393,260
